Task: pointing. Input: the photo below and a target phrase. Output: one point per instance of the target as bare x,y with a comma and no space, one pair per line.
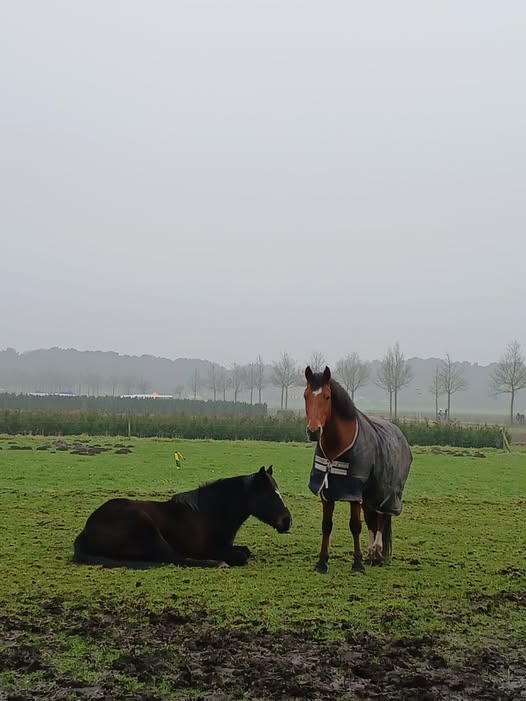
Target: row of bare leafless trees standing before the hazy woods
393,374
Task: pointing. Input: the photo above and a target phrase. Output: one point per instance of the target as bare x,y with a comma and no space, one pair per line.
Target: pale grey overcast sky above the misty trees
220,179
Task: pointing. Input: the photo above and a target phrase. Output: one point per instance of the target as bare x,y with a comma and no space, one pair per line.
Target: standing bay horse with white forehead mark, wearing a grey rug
358,459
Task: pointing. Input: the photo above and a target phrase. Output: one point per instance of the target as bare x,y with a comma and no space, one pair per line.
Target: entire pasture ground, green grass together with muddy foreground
445,620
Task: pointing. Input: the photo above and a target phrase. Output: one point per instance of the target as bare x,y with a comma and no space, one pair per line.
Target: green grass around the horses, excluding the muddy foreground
458,551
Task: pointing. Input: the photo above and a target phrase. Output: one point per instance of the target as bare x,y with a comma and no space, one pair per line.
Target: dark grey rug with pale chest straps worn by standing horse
372,470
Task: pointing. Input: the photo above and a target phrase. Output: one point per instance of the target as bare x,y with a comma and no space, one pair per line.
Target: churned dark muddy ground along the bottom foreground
188,658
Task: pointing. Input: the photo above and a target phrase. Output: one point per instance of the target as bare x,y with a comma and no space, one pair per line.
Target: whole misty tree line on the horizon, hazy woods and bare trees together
94,373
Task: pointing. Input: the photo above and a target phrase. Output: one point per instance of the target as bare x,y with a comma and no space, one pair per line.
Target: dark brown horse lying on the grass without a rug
192,529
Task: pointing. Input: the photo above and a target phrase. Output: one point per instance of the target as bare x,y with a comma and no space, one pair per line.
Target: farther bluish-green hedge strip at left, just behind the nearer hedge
130,405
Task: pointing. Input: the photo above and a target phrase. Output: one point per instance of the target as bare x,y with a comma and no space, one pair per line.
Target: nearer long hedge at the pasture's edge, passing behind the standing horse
54,423
